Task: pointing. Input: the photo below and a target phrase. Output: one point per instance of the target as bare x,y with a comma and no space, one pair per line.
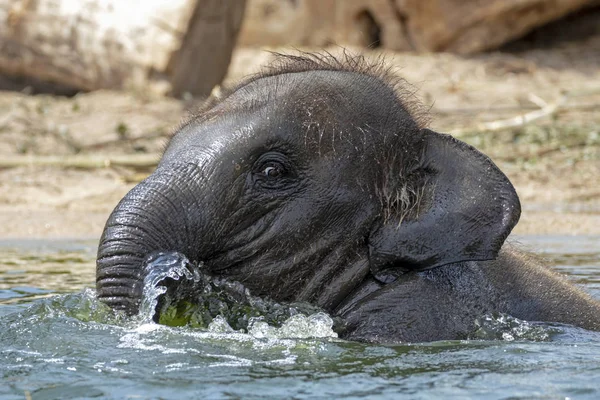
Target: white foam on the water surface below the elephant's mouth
300,333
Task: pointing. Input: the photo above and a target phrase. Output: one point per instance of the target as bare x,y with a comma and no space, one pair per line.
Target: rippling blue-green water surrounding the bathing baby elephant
58,342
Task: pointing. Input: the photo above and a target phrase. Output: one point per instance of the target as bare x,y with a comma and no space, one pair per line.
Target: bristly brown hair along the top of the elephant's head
250,93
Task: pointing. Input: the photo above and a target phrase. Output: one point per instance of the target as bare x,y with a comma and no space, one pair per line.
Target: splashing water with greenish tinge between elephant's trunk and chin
219,306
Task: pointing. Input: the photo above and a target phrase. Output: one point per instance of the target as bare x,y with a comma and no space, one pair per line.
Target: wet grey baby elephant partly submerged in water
314,182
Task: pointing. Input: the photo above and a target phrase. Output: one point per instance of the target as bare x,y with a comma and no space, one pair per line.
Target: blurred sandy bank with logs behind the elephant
91,90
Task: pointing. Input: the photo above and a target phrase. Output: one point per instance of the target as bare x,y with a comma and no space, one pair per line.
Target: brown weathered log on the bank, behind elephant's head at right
461,26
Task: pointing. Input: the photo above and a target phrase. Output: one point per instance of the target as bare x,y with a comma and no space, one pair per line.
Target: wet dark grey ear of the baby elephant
466,210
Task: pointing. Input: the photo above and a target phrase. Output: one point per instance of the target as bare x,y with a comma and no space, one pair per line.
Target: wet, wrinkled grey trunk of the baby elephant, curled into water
153,216
